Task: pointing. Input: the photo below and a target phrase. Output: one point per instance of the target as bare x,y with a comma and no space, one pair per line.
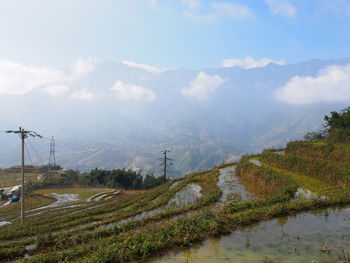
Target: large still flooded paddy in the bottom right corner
312,237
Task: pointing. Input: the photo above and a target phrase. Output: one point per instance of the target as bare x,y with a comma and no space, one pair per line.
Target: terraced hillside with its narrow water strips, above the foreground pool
277,183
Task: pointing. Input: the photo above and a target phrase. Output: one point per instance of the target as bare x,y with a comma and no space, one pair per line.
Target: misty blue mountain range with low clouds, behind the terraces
121,115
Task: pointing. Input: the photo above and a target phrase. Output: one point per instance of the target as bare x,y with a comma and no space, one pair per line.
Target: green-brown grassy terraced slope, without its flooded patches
75,235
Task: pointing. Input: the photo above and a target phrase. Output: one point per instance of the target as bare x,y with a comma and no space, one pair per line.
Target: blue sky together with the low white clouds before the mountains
51,45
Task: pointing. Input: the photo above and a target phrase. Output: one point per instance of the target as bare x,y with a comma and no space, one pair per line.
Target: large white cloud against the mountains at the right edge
331,85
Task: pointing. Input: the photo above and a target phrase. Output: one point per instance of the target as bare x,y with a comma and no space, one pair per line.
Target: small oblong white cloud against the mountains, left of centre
130,92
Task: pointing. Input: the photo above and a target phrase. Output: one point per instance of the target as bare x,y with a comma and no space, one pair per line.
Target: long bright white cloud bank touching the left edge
19,79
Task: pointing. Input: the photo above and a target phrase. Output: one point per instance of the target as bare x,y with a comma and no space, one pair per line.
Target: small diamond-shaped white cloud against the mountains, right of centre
202,86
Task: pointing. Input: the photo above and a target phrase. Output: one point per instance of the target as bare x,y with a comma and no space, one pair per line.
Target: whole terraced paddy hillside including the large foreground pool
257,209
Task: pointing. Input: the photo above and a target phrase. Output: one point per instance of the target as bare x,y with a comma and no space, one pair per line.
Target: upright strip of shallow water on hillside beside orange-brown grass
230,186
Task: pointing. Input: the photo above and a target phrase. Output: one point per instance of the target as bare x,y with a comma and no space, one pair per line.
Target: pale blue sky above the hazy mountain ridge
172,33
